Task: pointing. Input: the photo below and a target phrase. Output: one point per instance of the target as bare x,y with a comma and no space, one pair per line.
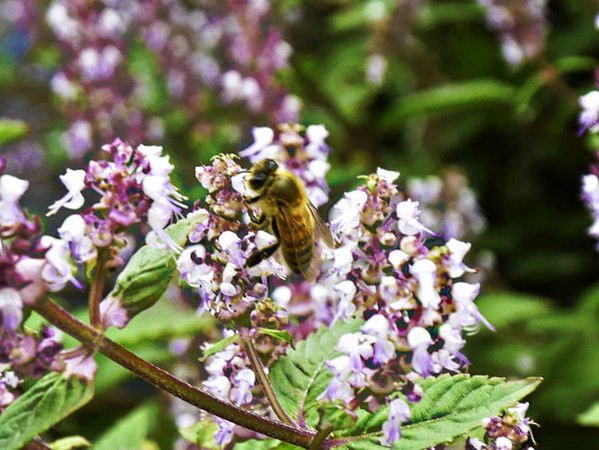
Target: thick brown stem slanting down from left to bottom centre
163,380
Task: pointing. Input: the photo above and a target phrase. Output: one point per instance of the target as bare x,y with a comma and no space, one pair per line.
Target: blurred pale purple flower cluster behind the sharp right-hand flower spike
447,204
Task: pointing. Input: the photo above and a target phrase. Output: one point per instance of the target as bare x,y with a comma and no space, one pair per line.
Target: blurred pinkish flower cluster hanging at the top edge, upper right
521,27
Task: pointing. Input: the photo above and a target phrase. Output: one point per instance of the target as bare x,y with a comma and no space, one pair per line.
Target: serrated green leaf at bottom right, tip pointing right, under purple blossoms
450,407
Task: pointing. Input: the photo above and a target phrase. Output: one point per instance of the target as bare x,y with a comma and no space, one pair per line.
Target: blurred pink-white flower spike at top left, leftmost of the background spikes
95,87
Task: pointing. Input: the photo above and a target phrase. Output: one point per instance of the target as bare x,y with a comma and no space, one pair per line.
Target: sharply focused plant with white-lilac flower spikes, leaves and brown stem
368,354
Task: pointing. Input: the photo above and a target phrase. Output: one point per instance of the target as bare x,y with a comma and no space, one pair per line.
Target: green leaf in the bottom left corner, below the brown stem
50,399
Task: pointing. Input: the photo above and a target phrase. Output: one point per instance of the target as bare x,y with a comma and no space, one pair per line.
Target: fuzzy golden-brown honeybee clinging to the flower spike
292,217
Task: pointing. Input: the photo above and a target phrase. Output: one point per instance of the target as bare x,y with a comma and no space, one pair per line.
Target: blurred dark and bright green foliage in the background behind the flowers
448,98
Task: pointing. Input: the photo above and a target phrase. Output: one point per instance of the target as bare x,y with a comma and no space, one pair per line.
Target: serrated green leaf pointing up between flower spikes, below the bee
301,376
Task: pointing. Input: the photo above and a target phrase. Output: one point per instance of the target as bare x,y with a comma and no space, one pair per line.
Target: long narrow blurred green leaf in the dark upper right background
448,98
